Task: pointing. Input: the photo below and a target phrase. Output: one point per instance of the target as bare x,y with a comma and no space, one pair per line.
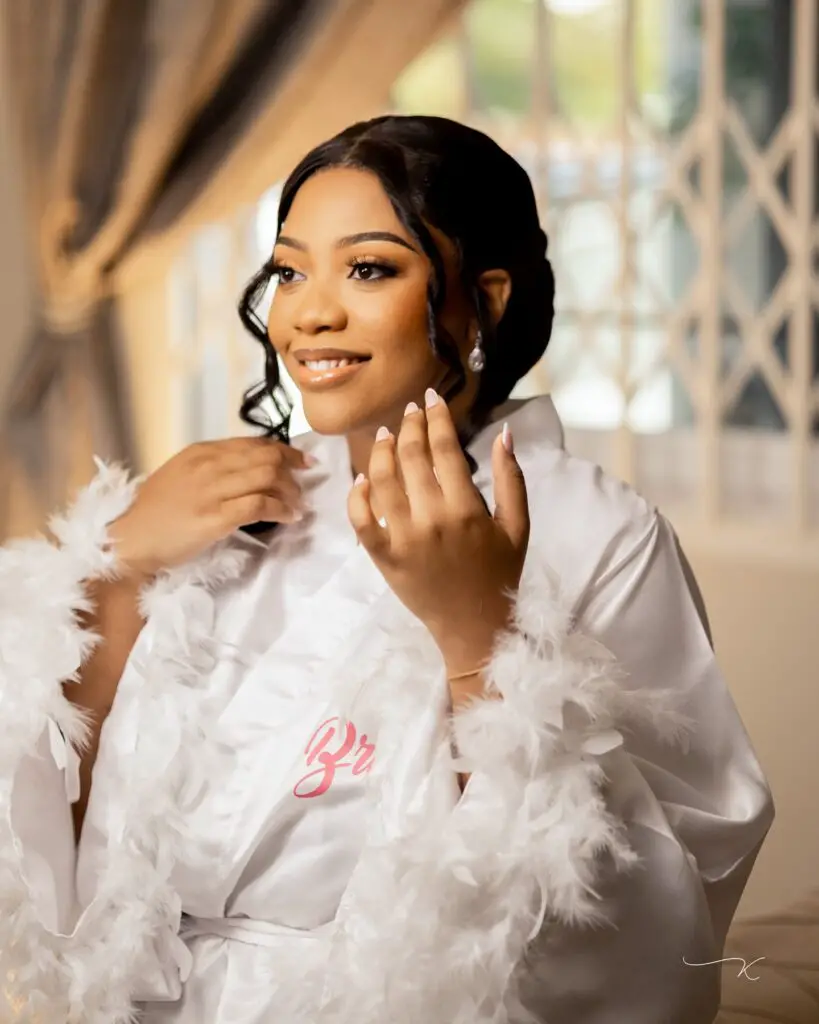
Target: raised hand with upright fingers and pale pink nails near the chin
442,553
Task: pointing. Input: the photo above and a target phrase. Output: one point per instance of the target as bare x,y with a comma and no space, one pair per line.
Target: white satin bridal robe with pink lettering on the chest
266,843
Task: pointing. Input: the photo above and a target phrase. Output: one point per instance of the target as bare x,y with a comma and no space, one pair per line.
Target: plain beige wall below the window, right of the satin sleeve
766,628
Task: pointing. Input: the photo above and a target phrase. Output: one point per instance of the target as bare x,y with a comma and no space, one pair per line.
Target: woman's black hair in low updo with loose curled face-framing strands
444,174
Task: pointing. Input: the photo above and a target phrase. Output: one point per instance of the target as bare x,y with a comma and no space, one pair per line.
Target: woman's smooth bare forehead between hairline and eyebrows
342,201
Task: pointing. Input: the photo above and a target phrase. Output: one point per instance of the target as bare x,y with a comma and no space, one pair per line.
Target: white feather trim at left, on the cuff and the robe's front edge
90,975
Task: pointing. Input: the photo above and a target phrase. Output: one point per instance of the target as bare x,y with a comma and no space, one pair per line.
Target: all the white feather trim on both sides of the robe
437,920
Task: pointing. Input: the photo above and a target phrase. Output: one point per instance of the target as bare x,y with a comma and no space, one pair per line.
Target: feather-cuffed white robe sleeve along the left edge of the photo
49,942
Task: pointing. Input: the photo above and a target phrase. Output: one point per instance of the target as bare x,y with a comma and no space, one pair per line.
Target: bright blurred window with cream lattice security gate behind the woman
673,149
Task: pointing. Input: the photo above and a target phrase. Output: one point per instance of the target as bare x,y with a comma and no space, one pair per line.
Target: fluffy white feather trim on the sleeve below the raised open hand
440,915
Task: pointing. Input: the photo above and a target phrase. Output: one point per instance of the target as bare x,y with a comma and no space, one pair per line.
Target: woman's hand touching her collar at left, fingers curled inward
201,496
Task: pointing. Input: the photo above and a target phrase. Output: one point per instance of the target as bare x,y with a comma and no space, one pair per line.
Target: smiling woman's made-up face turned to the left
353,282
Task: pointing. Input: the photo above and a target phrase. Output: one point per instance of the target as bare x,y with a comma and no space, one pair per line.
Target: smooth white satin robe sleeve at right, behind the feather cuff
687,798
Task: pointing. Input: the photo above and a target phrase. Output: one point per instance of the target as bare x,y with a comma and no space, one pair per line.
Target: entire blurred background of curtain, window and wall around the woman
673,146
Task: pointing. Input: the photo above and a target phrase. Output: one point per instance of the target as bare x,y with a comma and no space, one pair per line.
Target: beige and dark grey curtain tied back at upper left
139,121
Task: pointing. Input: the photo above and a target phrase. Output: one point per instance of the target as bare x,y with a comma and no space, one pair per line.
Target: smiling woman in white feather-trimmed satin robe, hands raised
397,757
